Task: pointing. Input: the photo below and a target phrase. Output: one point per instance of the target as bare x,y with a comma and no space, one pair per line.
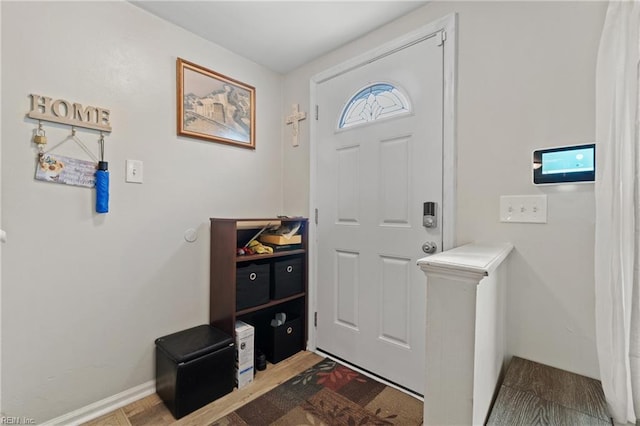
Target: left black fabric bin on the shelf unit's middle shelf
252,285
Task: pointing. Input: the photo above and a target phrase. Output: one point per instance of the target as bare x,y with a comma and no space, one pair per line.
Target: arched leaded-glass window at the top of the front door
374,102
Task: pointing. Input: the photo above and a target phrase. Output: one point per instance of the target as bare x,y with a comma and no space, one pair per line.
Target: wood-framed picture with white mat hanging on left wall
214,107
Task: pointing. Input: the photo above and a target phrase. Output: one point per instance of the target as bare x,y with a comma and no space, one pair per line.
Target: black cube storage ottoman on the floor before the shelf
193,368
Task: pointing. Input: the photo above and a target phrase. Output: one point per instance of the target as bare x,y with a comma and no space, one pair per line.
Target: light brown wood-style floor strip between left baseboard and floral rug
152,411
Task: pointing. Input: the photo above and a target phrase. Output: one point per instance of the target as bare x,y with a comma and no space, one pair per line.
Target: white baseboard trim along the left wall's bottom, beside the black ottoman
104,406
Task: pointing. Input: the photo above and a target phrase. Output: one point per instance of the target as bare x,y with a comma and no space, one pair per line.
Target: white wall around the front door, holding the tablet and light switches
526,78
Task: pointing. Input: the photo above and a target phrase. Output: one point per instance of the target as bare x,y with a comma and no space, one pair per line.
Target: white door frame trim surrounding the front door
448,25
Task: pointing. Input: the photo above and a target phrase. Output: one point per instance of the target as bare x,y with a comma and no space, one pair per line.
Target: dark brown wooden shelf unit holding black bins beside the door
227,235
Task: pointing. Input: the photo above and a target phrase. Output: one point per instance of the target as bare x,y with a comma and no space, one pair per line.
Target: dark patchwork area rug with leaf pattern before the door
329,394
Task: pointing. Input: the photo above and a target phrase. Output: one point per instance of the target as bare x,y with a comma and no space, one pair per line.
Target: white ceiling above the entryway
281,35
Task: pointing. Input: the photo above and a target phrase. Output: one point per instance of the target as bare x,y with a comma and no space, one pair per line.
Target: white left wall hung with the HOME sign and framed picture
85,295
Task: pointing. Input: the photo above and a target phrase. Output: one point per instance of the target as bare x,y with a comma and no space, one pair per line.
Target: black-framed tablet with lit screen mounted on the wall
565,164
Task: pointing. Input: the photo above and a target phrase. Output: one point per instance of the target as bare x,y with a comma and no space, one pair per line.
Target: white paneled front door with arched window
379,159
